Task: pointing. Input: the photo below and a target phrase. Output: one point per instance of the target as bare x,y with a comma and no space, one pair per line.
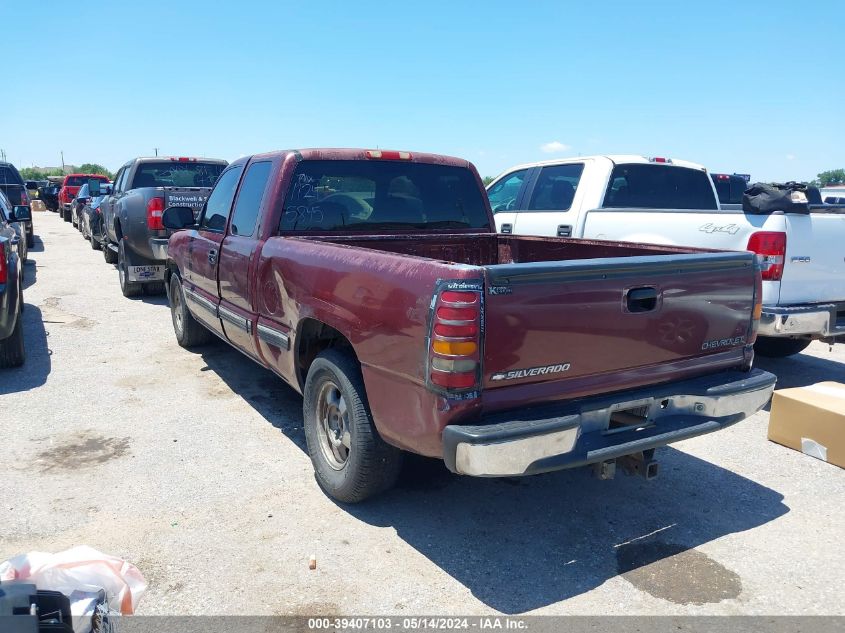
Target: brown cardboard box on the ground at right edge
811,420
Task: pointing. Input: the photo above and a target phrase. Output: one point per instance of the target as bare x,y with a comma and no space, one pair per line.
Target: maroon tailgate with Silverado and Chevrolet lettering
560,320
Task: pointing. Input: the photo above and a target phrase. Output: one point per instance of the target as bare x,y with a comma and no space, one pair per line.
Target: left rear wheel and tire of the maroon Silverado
351,460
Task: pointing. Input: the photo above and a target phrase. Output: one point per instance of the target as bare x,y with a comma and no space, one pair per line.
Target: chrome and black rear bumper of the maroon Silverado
576,433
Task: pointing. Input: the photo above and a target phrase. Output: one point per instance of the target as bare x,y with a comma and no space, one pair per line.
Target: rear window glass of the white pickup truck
659,187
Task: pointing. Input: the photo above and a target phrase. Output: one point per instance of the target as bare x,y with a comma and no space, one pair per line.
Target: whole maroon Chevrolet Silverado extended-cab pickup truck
373,283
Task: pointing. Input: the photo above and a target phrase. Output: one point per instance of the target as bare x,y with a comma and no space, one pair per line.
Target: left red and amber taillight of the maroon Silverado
454,352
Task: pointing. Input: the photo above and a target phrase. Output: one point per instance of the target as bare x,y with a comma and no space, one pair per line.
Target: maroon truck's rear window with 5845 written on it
362,195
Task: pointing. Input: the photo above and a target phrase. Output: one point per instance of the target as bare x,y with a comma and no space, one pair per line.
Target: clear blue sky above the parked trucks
754,87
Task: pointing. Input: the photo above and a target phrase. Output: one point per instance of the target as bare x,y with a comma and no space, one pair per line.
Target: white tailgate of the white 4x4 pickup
814,270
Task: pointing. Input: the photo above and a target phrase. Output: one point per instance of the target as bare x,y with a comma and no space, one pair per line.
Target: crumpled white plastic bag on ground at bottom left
80,573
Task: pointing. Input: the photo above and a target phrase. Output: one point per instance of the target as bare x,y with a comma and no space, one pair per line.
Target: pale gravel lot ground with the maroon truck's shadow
192,466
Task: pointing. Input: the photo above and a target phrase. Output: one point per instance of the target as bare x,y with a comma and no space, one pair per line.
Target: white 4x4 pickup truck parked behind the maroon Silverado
665,201
